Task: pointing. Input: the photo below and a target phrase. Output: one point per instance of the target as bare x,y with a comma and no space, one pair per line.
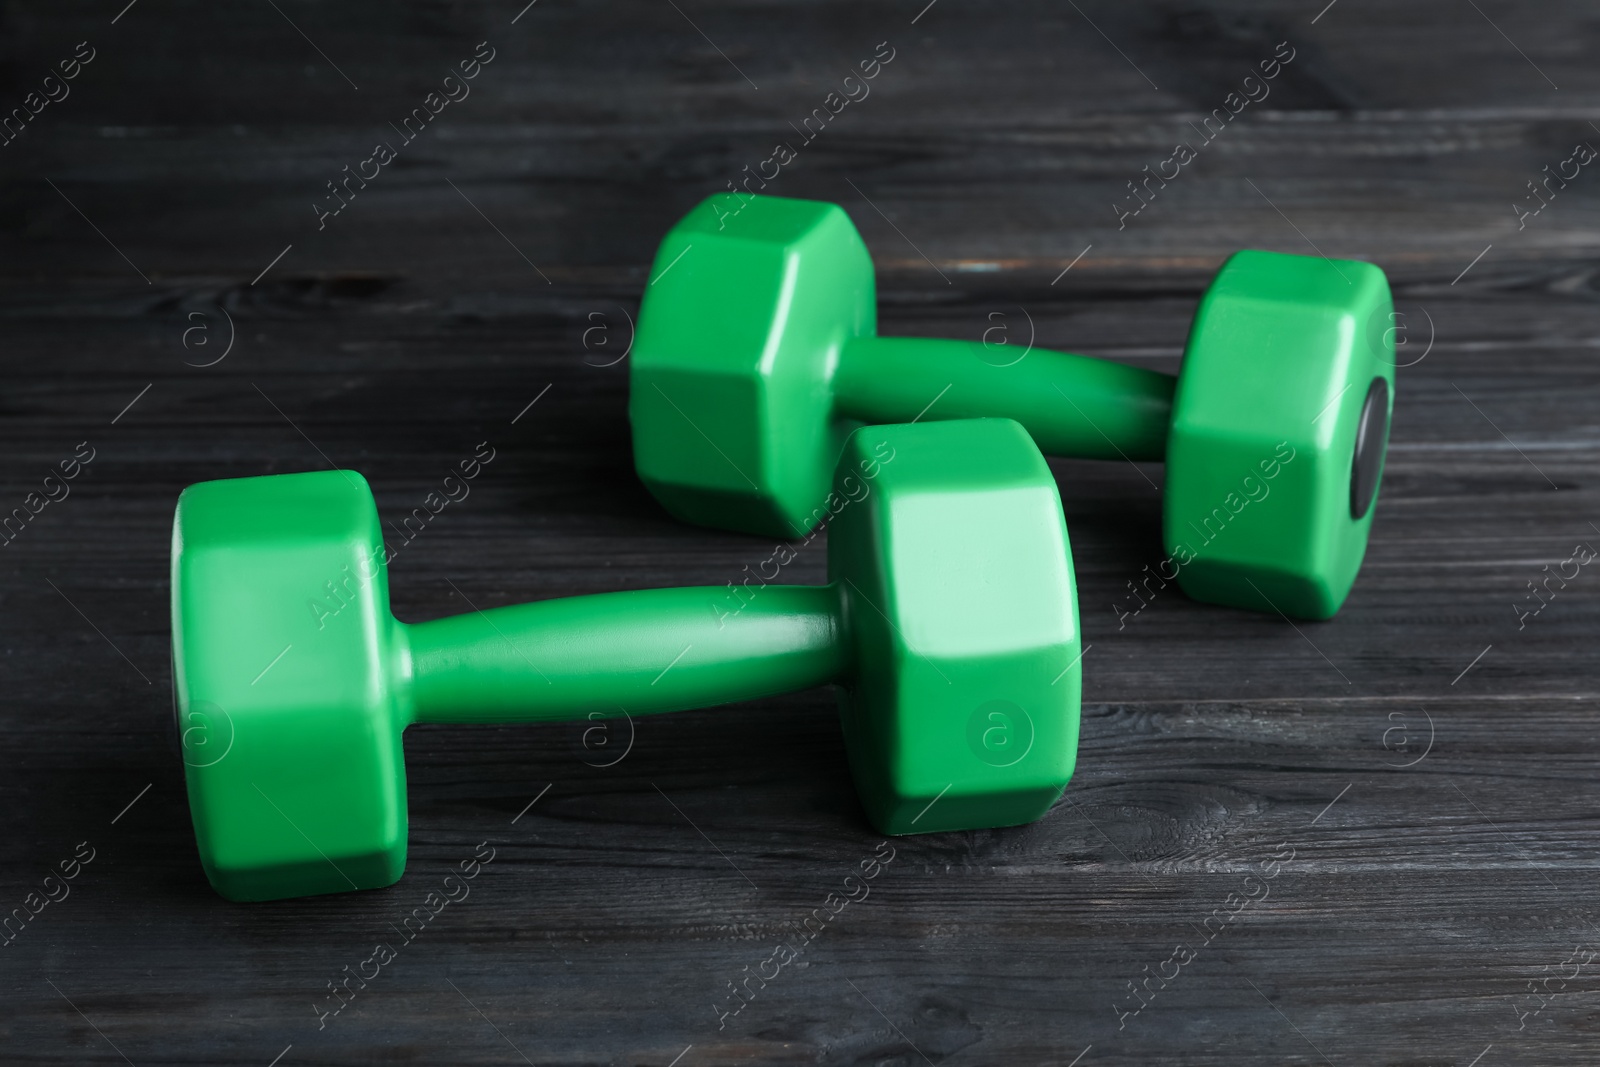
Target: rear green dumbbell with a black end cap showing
758,356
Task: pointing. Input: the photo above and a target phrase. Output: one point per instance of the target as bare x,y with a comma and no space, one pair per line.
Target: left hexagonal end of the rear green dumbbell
732,374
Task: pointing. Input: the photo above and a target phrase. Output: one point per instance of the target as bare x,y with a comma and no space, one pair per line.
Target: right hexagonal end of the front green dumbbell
956,577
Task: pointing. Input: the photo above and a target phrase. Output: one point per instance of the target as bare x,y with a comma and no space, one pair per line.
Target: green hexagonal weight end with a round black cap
1279,423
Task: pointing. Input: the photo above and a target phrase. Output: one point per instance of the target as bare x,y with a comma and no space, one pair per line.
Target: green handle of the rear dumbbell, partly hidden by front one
1073,406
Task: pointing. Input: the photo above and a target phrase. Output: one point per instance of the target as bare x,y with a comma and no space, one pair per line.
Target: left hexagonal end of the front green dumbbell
282,692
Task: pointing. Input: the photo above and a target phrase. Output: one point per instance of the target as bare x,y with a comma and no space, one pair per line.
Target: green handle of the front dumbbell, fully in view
642,652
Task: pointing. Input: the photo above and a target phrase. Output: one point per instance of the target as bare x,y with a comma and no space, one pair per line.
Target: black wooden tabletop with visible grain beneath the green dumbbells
1370,841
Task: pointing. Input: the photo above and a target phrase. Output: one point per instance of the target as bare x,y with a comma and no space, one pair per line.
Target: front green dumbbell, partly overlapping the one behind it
950,625
